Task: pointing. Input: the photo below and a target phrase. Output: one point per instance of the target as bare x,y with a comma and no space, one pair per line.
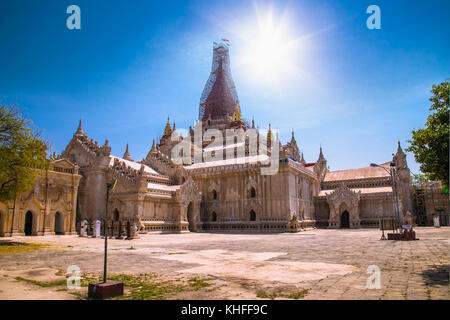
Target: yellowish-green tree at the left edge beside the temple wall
22,151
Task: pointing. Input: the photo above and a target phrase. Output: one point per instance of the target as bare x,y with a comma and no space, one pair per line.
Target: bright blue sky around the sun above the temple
352,90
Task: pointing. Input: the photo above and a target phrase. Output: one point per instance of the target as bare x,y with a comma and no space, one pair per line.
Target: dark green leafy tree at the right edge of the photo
430,145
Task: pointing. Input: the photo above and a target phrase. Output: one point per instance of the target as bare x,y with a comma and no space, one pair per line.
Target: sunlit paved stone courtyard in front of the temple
322,264
